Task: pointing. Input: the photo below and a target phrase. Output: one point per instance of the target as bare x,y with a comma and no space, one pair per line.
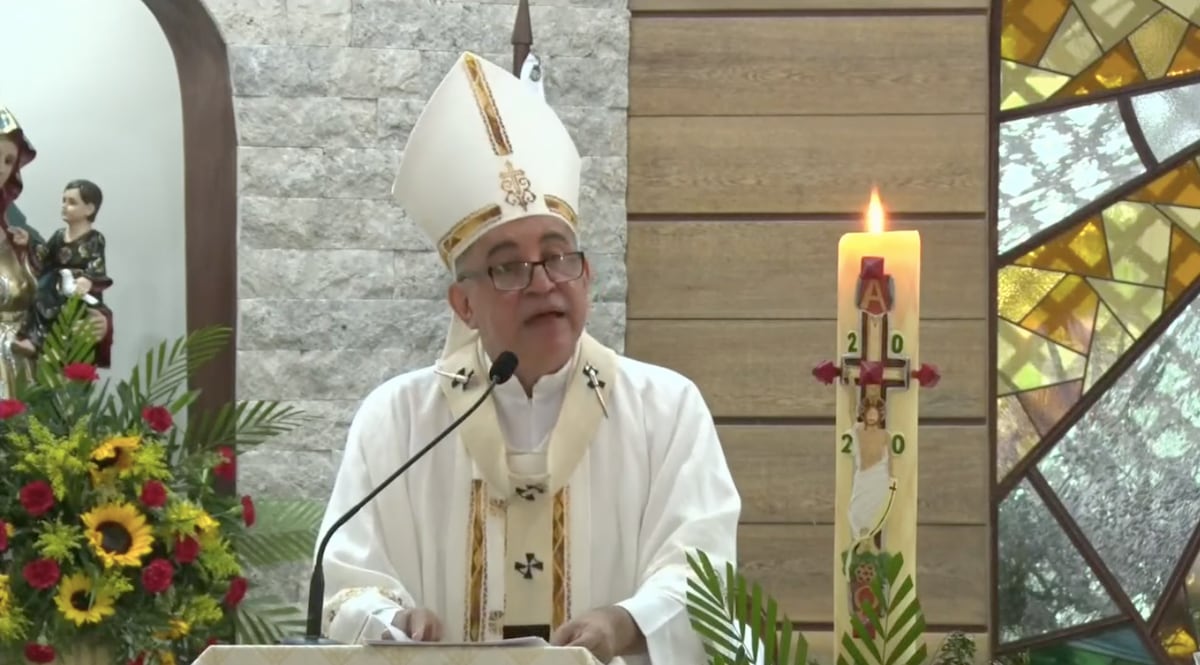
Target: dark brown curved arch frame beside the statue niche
211,182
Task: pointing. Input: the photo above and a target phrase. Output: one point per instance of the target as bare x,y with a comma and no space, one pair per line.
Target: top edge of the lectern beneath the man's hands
394,655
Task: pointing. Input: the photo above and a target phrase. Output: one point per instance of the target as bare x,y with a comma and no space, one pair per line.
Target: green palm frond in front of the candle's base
895,628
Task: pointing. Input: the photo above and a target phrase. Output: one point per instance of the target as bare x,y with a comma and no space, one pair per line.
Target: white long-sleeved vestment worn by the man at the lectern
623,496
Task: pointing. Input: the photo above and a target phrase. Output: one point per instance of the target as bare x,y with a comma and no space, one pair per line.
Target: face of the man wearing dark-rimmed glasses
542,321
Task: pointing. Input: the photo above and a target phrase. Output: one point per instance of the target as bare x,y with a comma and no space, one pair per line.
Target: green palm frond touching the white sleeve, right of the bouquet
286,532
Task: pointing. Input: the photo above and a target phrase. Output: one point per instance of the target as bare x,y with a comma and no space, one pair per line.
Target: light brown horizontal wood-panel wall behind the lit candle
757,131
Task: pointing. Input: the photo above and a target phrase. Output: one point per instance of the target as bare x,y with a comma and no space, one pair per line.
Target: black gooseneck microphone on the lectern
502,370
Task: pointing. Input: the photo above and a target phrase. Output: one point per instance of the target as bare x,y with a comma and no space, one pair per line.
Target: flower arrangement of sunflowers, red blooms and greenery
118,530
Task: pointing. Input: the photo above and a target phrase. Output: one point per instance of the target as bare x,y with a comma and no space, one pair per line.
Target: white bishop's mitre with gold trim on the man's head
487,151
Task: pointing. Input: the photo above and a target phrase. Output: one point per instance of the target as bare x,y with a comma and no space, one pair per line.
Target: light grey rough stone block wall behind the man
338,289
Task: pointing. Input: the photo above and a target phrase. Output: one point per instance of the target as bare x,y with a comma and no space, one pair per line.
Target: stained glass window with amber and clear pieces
1099,331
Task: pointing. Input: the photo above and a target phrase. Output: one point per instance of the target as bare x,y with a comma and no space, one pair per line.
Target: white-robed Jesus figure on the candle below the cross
872,487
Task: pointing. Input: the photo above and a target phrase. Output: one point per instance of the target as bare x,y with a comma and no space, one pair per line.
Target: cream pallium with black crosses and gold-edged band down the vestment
519,568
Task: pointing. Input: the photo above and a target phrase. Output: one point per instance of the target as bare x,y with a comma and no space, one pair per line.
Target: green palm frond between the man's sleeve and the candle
727,612
